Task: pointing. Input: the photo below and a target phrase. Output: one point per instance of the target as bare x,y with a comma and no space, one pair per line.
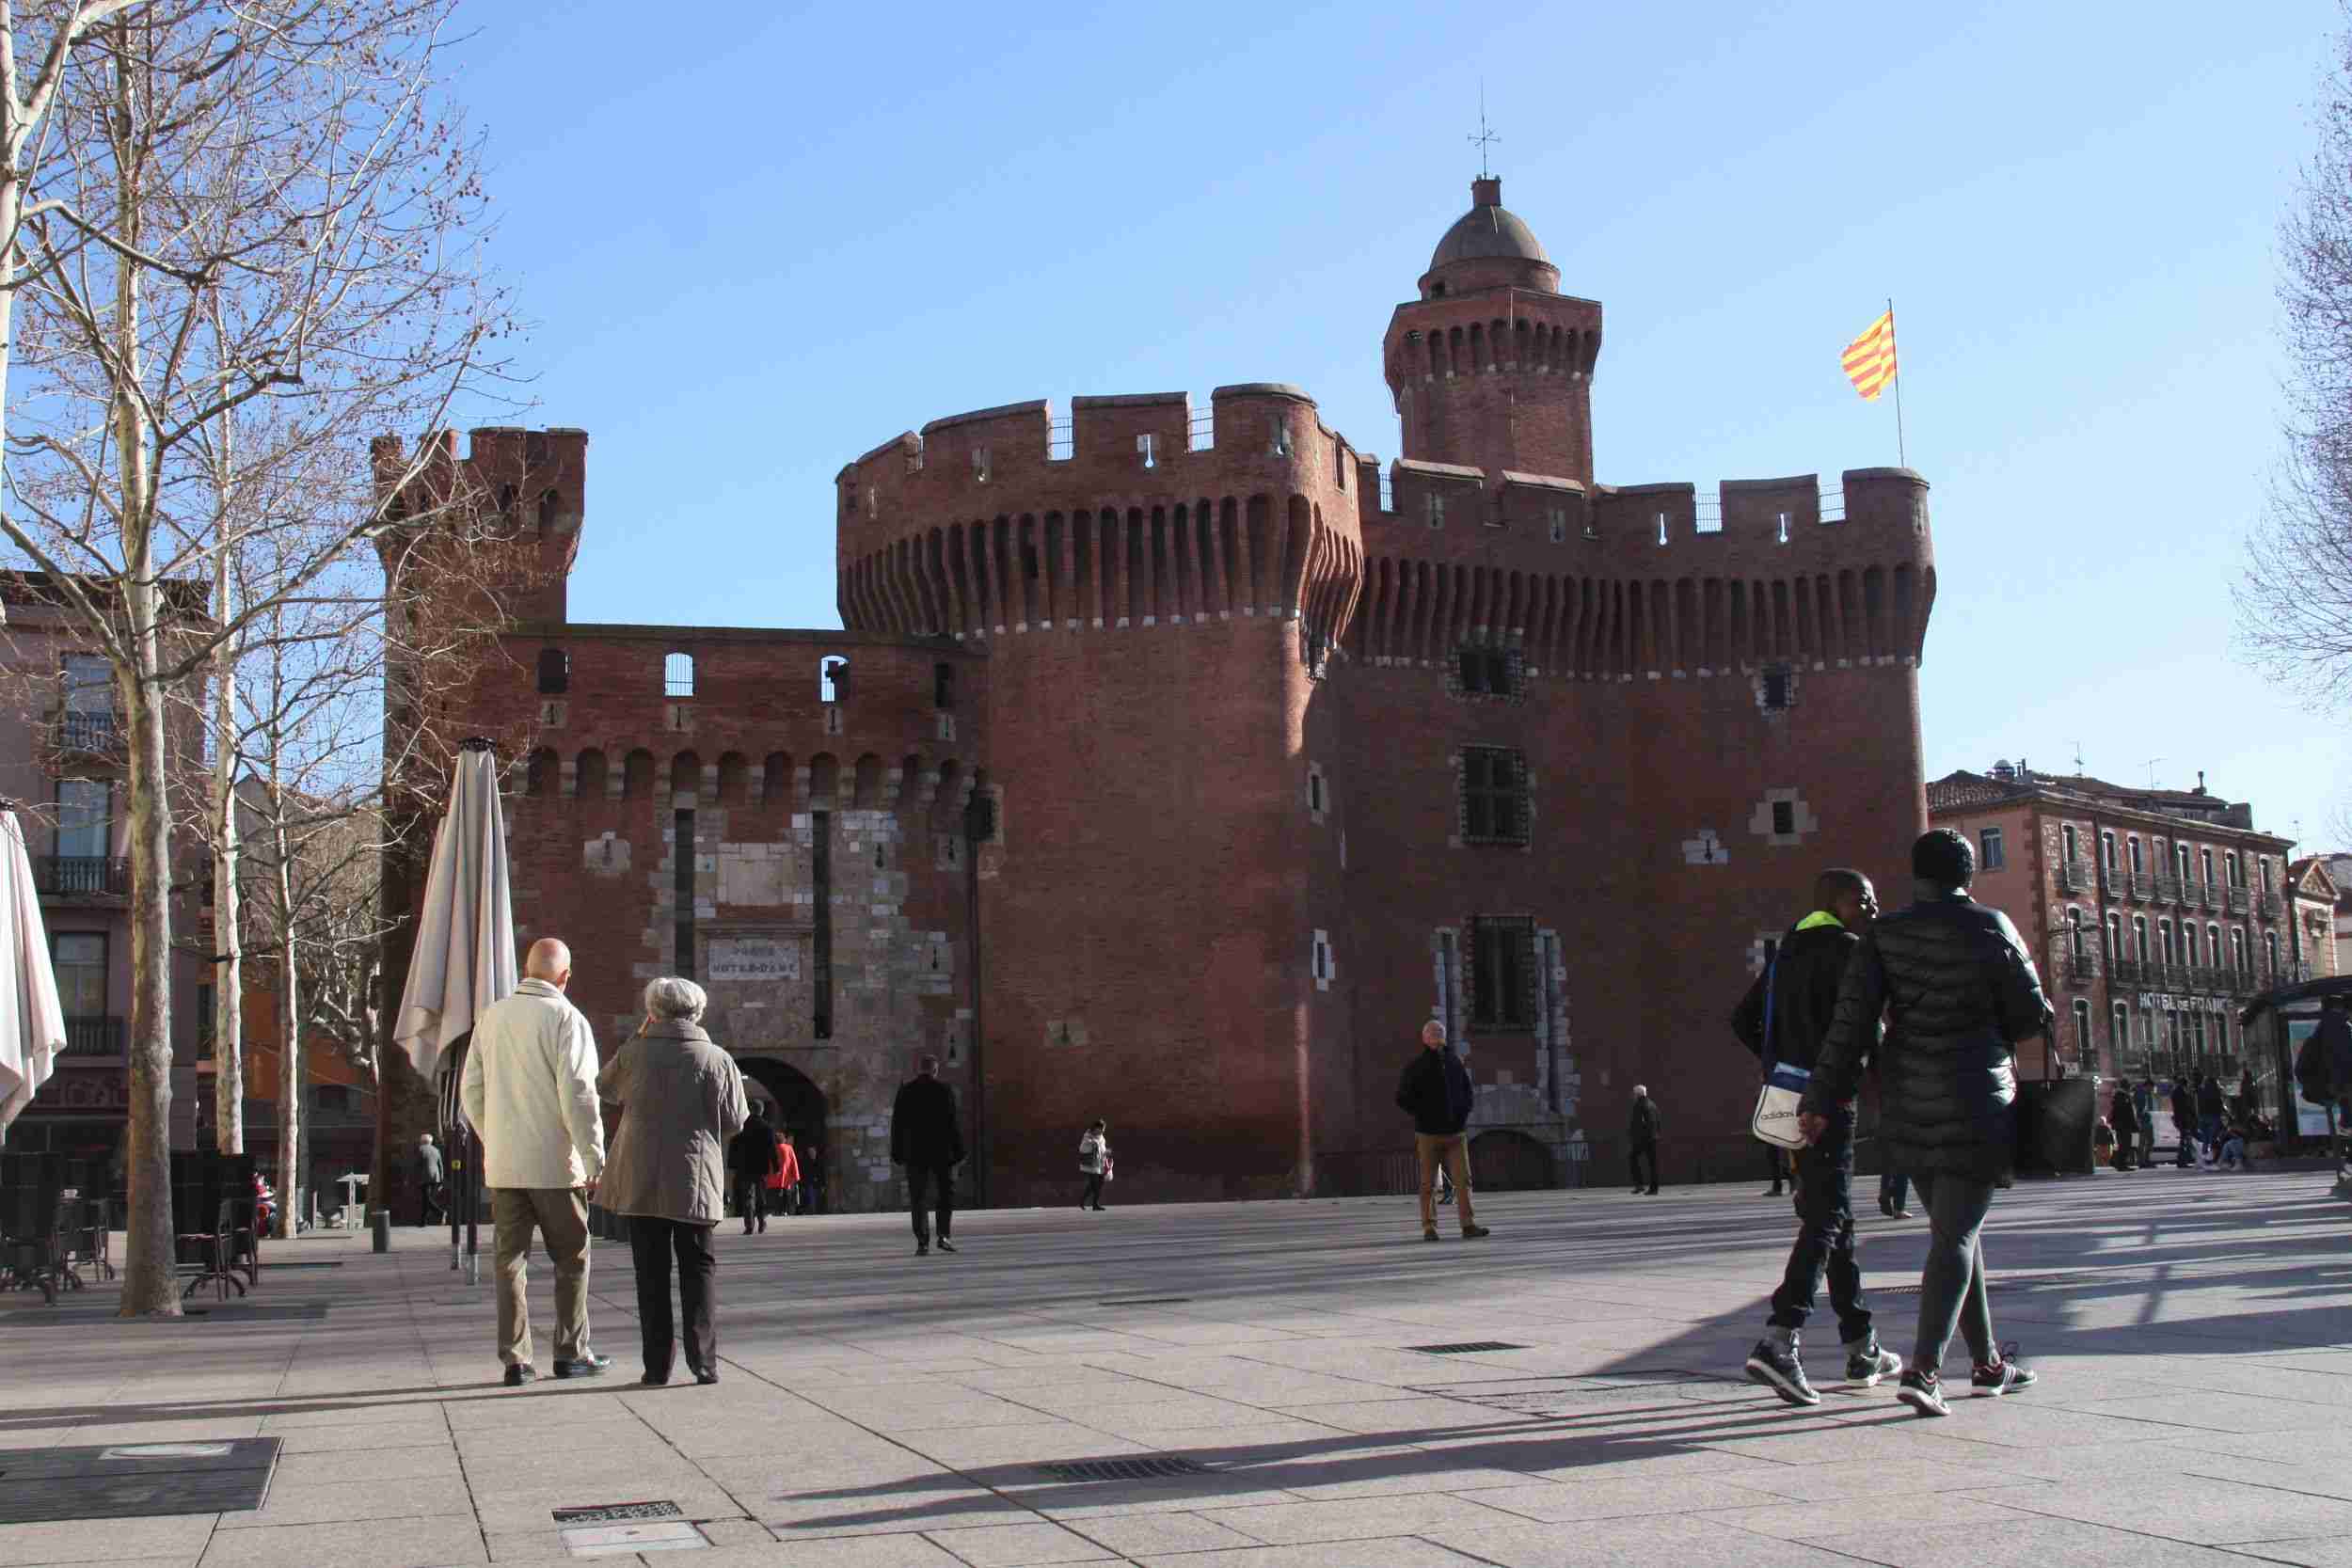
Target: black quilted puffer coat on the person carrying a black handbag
1960,993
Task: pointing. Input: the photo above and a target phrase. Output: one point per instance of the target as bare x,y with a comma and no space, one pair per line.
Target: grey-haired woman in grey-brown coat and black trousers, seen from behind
681,1101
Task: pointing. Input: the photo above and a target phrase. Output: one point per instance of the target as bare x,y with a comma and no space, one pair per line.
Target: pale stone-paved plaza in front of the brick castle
893,1412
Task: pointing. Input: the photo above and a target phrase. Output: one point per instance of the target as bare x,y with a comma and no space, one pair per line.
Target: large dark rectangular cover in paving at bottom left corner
135,1480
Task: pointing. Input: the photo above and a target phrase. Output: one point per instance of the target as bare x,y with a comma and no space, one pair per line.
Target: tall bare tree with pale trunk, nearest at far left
258,210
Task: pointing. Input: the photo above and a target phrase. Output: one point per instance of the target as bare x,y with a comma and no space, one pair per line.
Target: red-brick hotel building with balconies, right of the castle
2151,913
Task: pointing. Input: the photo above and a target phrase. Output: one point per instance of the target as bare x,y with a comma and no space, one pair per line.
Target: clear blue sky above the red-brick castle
756,248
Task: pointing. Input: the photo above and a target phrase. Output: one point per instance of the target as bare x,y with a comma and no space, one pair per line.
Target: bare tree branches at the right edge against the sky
2297,601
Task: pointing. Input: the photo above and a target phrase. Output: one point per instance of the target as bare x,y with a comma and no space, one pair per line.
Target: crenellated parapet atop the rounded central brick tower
1132,514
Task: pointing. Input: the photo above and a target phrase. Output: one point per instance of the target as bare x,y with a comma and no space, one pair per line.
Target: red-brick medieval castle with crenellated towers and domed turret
1177,763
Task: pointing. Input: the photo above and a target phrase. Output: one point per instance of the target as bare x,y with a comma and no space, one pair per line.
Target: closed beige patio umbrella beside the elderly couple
465,956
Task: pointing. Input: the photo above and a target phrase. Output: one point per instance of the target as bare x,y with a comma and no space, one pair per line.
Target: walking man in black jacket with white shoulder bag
1803,981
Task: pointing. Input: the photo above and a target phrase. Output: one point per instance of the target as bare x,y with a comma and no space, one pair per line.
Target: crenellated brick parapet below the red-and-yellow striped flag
1645,579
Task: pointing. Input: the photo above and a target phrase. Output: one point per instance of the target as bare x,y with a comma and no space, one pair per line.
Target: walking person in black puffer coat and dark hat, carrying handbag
1958,993
